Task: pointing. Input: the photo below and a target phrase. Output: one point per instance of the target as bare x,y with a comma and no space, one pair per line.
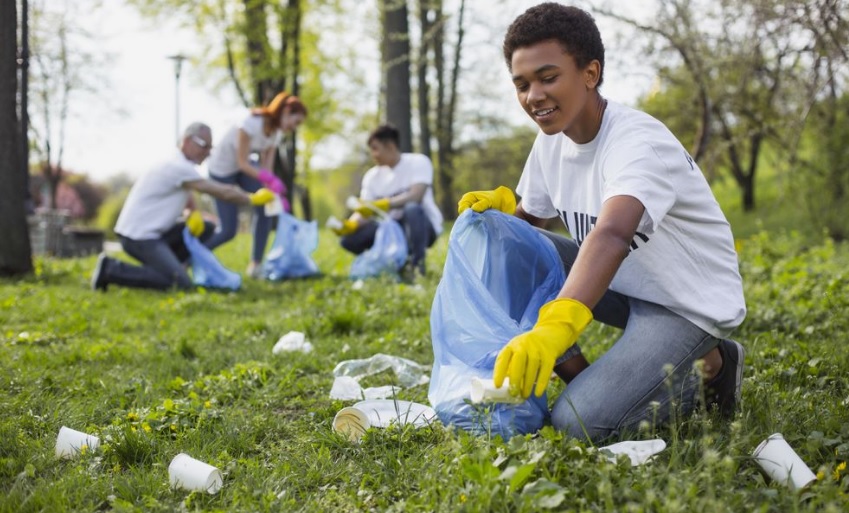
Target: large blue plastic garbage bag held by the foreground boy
498,272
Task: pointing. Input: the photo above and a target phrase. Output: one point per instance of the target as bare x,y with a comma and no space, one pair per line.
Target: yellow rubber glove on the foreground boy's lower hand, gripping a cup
531,356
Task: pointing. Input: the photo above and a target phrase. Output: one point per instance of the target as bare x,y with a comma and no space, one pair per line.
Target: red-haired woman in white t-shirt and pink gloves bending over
244,157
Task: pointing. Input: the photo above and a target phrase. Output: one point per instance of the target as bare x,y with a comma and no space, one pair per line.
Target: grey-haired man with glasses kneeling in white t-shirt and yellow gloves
149,226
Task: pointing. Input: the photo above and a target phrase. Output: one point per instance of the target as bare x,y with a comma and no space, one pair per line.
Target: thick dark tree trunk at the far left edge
15,251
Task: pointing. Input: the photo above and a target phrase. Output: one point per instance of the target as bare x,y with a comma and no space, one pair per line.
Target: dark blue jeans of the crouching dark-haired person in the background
417,228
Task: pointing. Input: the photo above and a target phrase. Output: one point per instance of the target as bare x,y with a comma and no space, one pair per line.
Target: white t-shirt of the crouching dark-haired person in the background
413,168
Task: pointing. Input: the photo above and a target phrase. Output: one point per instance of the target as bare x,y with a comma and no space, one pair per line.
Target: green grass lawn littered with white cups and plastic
156,374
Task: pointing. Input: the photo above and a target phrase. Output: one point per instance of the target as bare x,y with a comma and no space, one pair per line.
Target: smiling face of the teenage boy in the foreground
557,94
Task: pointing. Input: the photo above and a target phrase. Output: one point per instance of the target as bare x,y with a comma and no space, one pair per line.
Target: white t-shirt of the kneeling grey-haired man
157,199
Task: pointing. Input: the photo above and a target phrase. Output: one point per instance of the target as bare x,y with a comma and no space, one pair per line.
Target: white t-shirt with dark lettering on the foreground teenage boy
683,255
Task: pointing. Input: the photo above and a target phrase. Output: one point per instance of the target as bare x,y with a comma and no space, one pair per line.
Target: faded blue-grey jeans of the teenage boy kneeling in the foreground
647,375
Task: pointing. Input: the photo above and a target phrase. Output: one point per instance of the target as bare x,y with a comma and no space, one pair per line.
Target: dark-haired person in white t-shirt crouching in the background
401,184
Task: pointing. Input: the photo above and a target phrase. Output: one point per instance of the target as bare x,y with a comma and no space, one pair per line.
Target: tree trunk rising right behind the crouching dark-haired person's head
396,69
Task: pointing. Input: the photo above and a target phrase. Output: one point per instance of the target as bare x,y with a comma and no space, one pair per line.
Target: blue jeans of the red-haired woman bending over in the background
228,215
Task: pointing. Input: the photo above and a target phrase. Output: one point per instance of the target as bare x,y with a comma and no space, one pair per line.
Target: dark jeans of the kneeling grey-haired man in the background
163,261
